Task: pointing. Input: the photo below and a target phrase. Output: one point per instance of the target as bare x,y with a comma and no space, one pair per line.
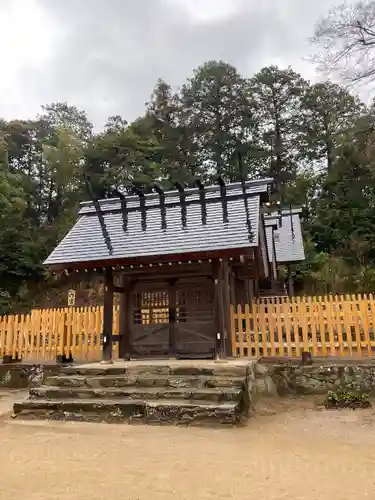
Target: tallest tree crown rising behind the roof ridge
219,116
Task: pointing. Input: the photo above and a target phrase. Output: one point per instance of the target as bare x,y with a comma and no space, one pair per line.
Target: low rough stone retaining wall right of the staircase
294,378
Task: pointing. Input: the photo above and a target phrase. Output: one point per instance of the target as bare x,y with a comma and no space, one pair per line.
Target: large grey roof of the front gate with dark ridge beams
85,241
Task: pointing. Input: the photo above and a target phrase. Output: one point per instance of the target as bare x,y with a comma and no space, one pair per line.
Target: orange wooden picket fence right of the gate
324,326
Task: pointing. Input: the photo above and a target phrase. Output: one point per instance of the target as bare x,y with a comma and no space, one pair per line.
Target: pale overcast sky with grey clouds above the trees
106,55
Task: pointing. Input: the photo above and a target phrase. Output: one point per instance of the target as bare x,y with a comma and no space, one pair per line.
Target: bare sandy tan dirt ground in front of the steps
291,450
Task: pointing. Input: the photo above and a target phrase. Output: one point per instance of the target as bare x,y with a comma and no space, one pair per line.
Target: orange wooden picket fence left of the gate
43,334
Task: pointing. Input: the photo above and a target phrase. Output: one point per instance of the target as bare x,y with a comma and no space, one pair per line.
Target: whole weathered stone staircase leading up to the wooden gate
178,392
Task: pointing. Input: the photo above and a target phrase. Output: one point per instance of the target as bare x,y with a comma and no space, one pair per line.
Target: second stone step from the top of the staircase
145,380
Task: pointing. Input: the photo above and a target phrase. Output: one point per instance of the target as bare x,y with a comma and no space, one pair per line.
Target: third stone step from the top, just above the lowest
213,394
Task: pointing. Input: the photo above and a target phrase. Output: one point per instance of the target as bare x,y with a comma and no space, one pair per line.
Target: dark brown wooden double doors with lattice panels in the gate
175,319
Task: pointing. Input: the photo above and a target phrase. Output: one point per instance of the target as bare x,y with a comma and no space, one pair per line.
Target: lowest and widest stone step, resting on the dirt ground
130,411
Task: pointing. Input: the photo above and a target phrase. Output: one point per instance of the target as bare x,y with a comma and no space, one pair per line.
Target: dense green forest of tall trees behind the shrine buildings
316,140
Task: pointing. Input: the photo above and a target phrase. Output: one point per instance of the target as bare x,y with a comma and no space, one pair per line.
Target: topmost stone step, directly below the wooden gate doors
155,369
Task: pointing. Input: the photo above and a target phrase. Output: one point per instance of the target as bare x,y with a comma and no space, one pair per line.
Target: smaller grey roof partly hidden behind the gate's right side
286,249
